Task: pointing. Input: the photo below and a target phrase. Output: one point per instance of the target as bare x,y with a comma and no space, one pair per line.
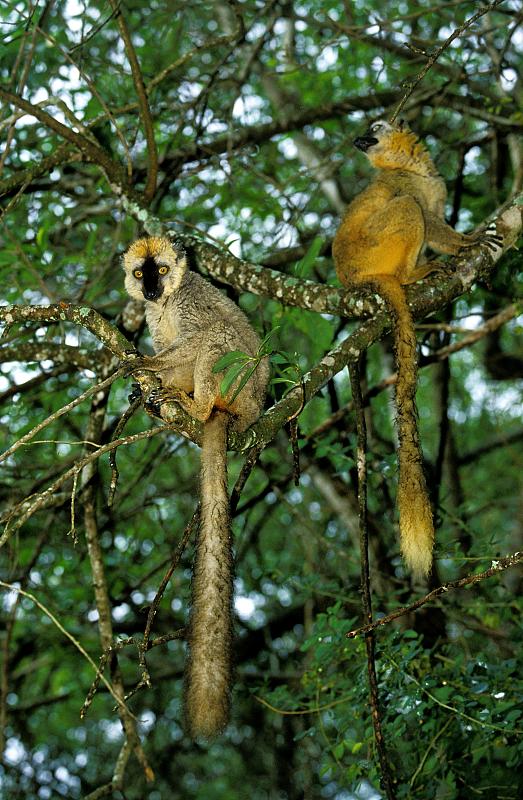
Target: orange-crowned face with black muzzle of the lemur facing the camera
153,268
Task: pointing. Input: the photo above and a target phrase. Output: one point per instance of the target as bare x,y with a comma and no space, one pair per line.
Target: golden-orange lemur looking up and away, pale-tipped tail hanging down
381,241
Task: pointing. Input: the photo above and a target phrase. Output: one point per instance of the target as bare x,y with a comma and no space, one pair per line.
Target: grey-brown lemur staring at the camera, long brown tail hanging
192,325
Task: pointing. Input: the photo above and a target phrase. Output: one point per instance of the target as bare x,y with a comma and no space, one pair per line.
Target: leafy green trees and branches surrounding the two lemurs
231,124
